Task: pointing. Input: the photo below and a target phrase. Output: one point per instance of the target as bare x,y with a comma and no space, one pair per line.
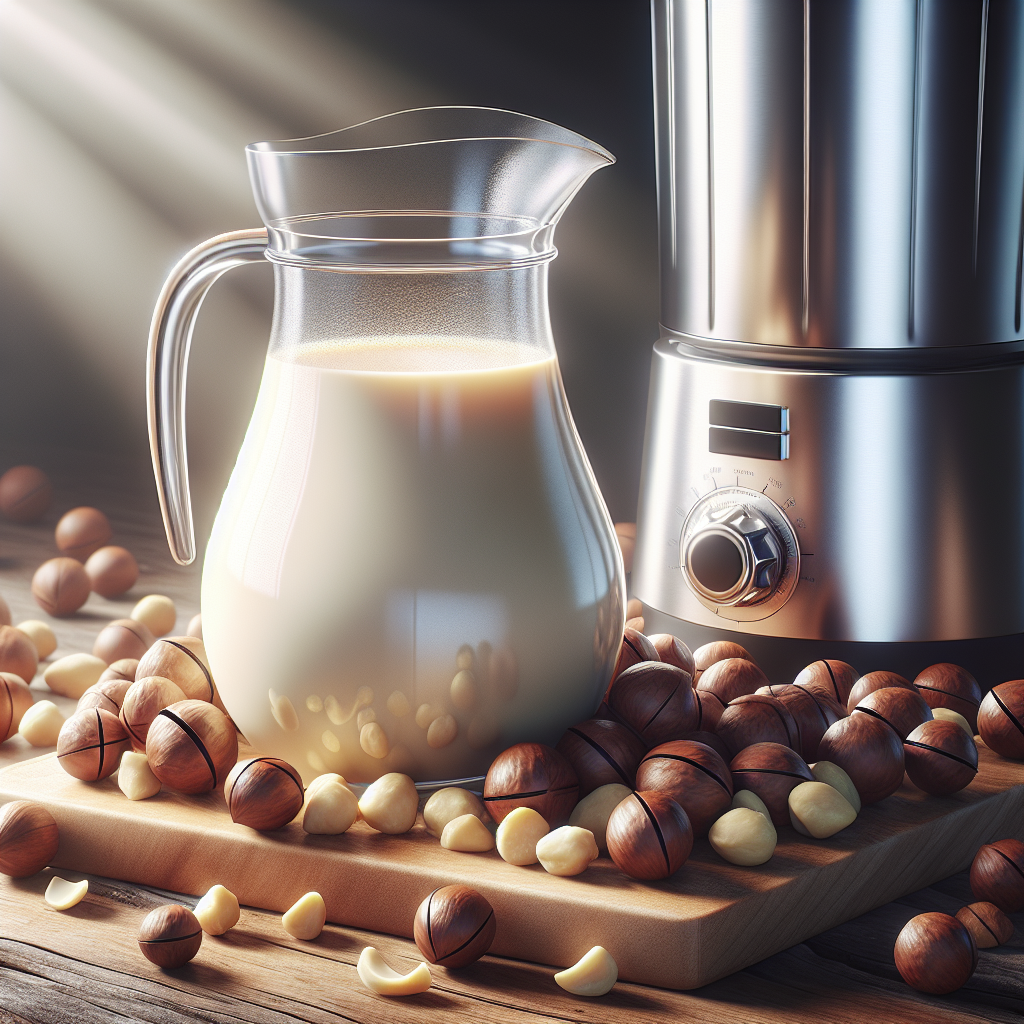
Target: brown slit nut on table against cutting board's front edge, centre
454,927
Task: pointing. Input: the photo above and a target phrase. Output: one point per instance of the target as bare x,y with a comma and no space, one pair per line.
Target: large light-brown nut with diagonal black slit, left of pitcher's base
192,746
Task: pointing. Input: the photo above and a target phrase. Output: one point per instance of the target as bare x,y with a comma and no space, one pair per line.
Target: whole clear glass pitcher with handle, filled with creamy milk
412,567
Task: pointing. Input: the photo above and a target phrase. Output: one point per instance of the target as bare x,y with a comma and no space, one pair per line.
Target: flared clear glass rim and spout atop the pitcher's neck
440,188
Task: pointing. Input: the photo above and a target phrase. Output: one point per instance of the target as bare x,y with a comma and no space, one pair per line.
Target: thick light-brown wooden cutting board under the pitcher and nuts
710,920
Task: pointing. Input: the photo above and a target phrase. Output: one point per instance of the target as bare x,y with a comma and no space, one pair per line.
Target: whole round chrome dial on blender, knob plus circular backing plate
740,554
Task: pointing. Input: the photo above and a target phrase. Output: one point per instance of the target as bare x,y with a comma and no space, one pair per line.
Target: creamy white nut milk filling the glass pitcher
407,572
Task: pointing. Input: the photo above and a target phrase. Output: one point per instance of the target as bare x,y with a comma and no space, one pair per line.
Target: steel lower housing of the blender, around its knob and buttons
904,491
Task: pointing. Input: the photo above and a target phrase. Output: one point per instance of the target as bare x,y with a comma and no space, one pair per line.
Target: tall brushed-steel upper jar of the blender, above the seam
841,174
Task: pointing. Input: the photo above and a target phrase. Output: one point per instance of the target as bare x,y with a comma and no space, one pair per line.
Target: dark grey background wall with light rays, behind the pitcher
122,129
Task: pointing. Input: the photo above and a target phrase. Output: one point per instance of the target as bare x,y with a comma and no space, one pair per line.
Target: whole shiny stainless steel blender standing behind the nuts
835,444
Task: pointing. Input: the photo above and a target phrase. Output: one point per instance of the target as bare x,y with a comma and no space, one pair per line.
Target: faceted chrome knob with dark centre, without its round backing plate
733,556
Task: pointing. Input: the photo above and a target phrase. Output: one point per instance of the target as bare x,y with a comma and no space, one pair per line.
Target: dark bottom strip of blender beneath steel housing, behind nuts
991,660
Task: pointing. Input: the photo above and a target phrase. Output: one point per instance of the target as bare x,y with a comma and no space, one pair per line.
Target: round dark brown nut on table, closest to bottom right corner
935,954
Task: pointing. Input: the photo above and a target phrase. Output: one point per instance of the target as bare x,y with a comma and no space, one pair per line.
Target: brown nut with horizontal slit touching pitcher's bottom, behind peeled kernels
532,776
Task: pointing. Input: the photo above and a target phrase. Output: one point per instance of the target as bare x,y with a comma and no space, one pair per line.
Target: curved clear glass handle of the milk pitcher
166,366
